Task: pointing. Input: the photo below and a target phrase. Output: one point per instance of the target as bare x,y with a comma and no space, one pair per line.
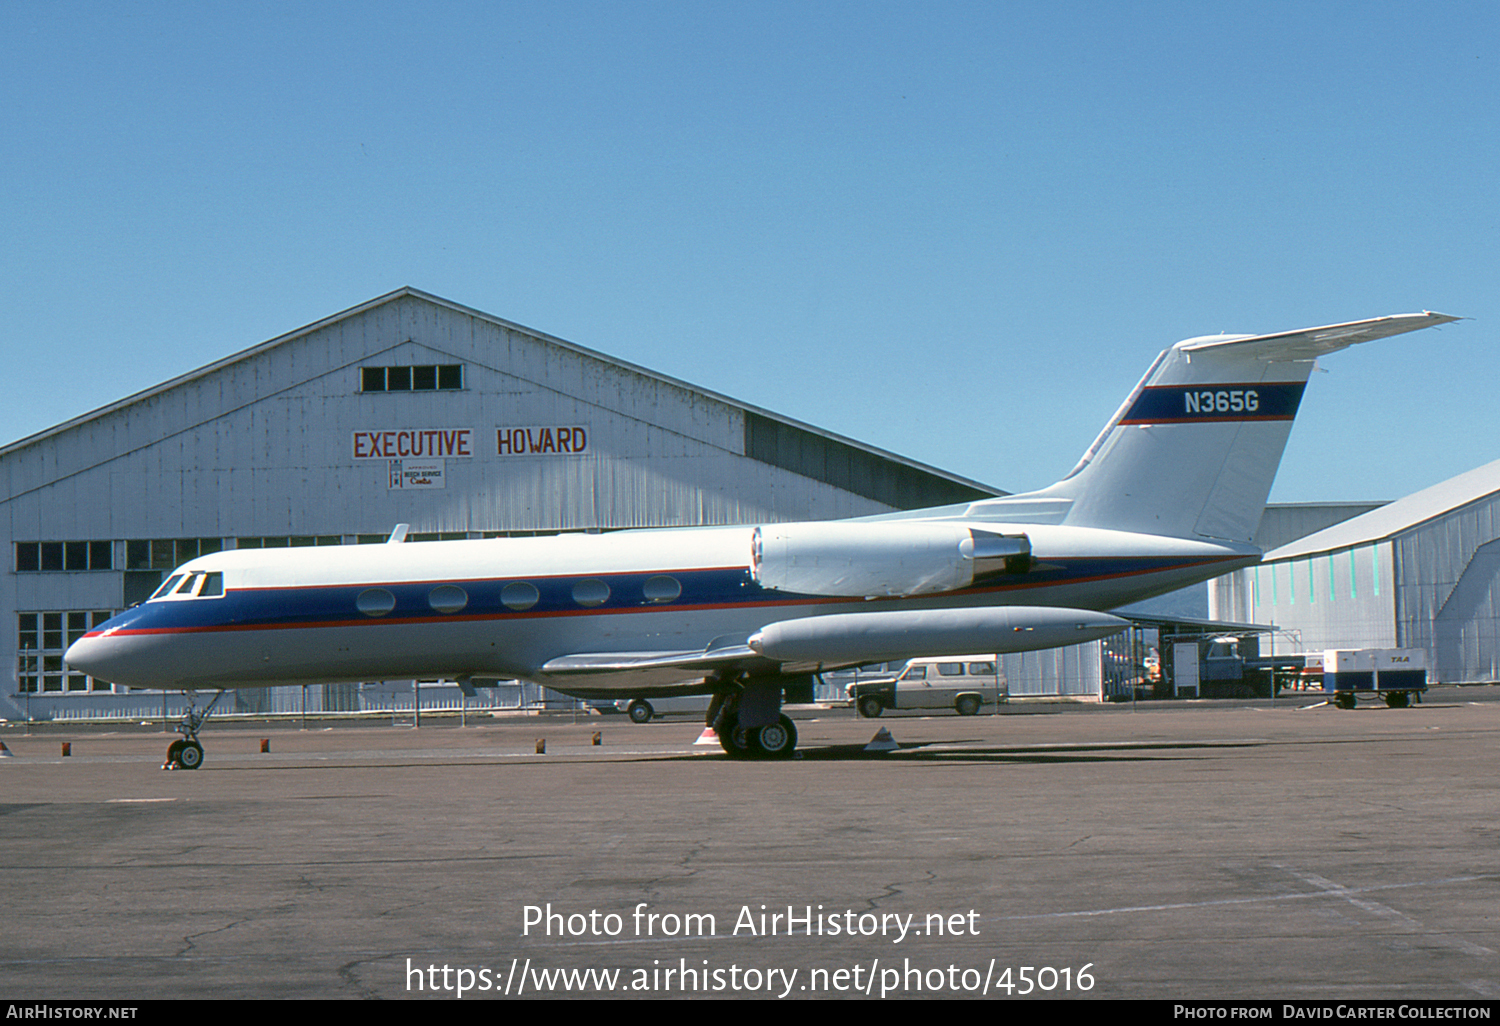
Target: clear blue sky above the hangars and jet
959,232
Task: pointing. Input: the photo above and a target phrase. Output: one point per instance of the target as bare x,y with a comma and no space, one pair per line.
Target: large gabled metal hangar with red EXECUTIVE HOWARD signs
404,410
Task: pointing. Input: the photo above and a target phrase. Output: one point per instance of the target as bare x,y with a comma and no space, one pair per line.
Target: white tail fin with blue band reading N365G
1195,449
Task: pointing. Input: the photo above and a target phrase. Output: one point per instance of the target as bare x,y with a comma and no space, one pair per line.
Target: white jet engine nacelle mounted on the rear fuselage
887,560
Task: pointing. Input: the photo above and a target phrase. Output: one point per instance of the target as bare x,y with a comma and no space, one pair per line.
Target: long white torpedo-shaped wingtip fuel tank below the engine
844,640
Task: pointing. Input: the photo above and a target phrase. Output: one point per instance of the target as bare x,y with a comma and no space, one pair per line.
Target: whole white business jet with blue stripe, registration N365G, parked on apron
1168,496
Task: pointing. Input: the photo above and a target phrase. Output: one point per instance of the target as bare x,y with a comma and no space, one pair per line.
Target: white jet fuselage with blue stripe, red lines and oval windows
505,608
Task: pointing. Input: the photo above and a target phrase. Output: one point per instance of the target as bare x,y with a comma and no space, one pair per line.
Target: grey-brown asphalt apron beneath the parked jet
1166,851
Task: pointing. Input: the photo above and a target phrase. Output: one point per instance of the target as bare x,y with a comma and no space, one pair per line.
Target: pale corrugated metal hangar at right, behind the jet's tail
1423,572
